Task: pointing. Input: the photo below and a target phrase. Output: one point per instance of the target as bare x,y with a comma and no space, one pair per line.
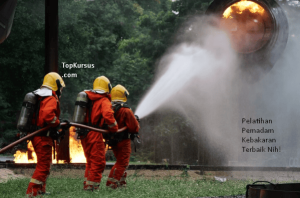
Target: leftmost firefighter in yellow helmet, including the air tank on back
42,107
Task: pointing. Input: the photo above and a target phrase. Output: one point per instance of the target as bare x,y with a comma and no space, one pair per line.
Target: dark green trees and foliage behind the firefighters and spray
124,40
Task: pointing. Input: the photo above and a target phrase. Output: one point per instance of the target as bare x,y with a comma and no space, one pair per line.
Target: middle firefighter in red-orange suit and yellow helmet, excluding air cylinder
100,115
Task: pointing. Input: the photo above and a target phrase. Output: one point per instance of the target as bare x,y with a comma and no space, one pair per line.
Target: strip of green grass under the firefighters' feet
136,187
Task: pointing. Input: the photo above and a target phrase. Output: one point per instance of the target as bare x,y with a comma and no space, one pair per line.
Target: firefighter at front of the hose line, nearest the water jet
120,142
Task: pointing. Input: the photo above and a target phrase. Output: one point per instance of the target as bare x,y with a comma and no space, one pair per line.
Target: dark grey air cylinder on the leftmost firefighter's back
27,111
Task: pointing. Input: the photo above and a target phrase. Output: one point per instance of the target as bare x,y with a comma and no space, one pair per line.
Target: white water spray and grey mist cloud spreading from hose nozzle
200,77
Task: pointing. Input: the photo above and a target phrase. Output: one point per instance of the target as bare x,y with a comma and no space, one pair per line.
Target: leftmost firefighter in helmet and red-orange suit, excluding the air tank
47,113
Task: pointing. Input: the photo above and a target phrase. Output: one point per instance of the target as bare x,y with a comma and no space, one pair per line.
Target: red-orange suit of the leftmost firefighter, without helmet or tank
48,114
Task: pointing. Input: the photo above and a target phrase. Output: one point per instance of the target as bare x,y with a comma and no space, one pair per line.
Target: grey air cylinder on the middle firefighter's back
80,108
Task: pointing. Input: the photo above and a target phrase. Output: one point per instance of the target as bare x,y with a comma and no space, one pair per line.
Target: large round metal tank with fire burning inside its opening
258,30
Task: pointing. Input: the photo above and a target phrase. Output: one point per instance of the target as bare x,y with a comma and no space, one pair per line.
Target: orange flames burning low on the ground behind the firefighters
76,152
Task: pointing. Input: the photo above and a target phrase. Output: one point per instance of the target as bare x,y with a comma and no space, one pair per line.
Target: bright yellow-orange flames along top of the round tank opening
241,6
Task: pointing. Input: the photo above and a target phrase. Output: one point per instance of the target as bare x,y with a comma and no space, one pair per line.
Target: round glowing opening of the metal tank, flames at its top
248,25
